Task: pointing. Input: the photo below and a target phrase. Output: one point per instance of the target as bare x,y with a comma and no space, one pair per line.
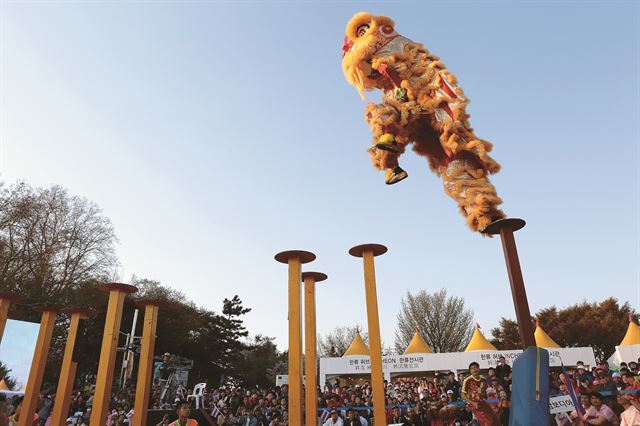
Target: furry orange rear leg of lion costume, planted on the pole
466,182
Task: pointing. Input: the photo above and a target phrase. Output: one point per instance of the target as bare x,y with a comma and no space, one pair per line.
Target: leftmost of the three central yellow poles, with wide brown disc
295,258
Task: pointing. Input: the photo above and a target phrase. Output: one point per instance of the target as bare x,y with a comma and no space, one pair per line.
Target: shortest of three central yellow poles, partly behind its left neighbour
311,402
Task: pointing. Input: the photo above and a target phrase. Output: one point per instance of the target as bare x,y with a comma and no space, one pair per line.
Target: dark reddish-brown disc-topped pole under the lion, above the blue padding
506,228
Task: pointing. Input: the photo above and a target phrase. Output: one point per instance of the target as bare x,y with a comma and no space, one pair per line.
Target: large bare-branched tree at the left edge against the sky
51,242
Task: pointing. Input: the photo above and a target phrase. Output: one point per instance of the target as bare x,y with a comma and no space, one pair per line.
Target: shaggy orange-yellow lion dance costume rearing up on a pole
423,105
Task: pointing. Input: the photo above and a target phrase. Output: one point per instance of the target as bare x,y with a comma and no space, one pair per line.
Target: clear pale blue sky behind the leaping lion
217,134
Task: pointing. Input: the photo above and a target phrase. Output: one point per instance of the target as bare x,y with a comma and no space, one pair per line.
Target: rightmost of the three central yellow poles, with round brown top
367,252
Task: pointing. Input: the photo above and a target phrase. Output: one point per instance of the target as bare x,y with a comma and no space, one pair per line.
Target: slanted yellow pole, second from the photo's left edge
32,393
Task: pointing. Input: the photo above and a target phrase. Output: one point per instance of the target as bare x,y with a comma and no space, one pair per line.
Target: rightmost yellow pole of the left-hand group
145,368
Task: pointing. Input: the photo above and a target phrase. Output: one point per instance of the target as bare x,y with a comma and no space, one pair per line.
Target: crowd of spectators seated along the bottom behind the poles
607,398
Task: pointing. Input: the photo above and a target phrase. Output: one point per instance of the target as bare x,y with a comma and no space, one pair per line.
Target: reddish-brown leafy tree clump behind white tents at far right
601,325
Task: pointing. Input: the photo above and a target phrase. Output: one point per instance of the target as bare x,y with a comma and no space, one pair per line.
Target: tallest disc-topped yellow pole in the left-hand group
104,381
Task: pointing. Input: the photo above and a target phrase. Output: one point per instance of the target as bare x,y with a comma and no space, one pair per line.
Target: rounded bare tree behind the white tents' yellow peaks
444,322
